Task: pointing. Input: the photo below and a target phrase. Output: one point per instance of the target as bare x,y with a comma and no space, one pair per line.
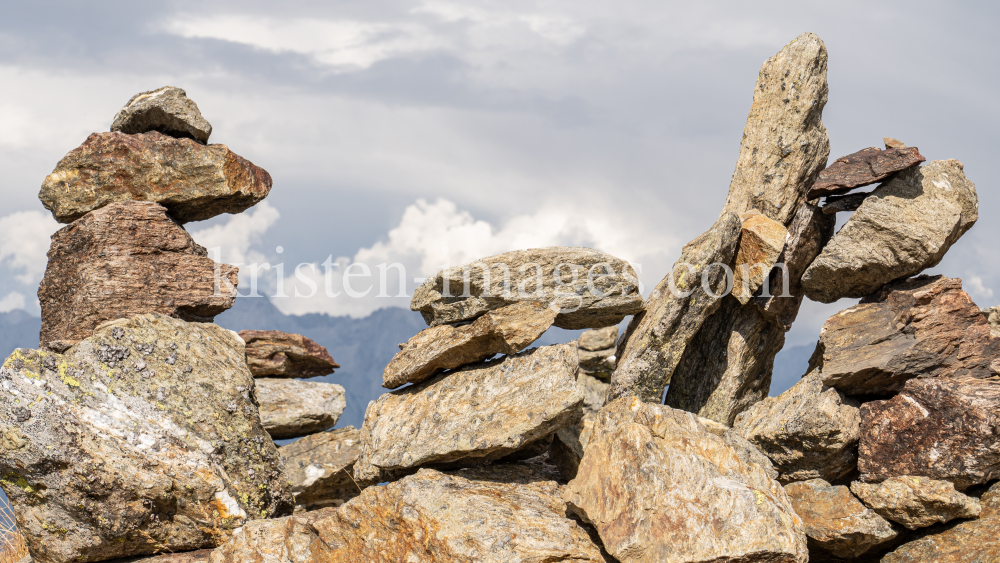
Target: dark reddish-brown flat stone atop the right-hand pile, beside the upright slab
863,168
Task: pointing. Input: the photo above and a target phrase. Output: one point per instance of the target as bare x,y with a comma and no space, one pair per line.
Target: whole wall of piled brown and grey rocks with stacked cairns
138,427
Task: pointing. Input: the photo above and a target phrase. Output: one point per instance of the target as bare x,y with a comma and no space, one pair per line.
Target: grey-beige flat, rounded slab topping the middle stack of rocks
579,280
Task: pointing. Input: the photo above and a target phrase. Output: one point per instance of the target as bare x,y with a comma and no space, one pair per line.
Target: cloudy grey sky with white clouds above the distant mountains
435,132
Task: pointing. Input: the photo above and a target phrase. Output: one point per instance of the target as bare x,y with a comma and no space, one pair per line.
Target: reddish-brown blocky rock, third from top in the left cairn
123,260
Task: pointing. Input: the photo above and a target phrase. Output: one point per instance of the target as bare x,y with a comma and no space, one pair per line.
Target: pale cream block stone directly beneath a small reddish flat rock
290,408
